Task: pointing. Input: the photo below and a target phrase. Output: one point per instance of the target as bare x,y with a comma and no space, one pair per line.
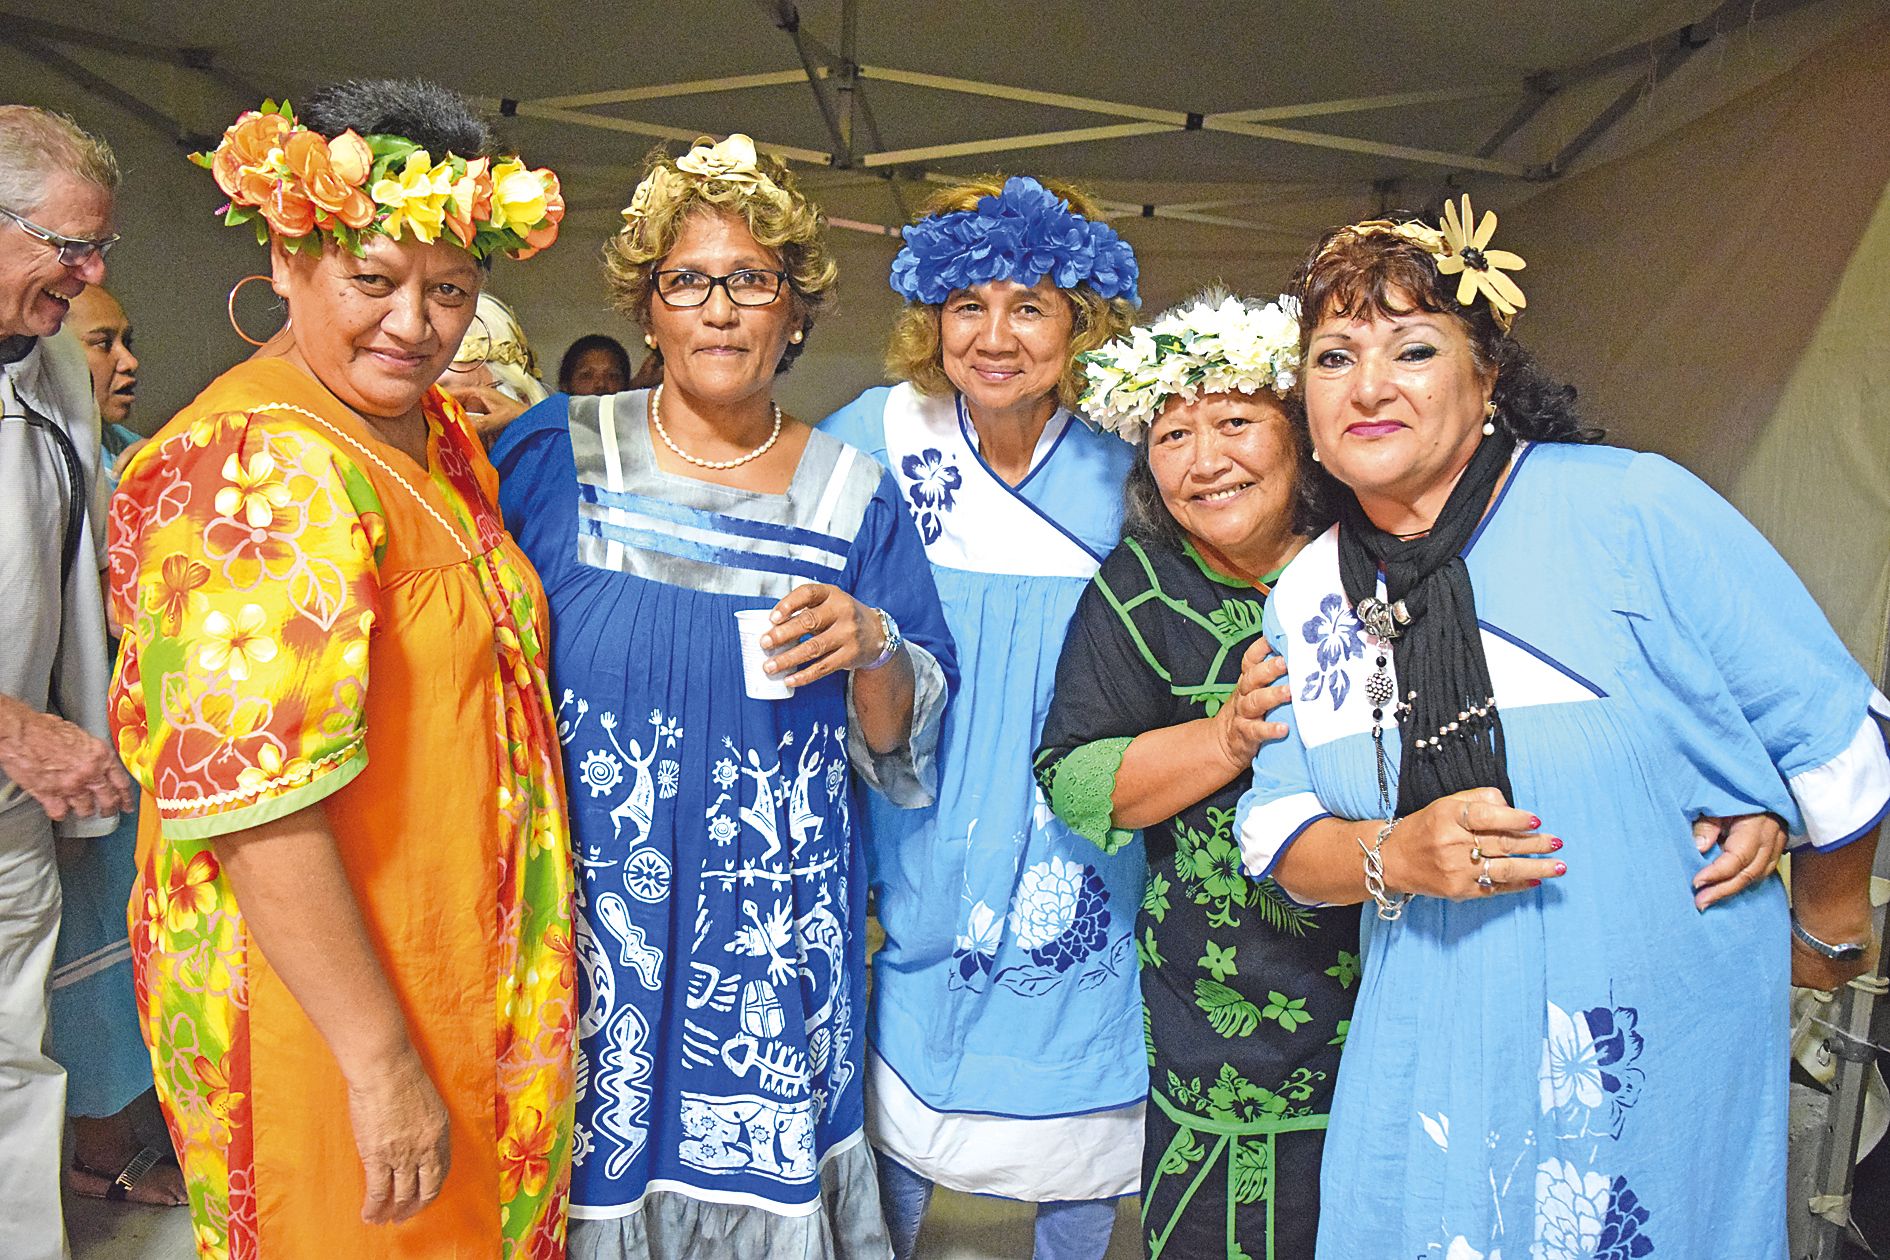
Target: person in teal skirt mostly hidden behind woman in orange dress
95,1015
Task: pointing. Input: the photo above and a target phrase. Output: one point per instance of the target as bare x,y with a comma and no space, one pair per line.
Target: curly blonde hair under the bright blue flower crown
916,352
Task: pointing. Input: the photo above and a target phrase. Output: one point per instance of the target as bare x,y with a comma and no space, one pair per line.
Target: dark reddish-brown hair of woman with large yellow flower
1367,271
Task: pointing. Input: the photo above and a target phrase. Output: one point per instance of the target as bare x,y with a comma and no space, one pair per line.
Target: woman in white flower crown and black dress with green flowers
1161,702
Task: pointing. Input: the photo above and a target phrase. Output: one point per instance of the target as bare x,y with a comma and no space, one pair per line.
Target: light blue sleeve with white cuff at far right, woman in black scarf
1766,694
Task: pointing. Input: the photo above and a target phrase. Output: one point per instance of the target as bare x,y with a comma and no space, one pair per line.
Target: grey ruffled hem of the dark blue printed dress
672,1225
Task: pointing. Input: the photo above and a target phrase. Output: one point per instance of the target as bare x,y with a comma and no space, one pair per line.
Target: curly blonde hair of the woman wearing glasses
793,228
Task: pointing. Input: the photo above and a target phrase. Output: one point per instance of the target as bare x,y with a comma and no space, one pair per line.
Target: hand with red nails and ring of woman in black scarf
1443,849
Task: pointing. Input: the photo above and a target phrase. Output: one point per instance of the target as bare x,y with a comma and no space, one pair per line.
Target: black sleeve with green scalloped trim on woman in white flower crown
1108,692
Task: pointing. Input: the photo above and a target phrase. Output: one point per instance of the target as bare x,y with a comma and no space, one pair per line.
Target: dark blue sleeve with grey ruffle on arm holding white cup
887,570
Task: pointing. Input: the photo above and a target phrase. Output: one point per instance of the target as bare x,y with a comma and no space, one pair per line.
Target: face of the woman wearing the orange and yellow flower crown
379,330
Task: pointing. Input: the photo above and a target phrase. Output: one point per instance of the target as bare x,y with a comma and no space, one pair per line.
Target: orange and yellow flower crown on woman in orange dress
284,177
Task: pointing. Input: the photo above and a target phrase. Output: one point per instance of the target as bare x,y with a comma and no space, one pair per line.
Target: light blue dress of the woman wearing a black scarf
1592,1068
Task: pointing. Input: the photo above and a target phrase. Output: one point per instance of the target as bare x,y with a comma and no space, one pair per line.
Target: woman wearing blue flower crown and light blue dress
1008,1053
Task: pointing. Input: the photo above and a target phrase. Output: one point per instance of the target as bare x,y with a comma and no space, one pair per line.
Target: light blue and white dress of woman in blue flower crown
1006,1030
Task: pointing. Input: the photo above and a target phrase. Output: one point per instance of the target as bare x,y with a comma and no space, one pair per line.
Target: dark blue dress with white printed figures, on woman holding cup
723,896
